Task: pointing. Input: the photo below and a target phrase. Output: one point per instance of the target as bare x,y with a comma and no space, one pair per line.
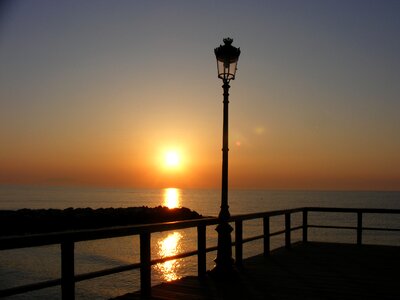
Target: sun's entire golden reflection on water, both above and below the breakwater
170,245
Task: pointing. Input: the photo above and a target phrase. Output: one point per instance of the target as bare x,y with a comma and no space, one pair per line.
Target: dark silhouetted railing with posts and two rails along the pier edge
67,241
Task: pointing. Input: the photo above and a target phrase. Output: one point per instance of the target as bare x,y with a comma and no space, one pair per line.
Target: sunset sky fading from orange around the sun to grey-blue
104,93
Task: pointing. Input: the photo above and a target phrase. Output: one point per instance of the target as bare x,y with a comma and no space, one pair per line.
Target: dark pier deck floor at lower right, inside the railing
306,271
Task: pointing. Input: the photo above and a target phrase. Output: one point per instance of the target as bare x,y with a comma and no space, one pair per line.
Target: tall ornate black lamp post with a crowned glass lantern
227,58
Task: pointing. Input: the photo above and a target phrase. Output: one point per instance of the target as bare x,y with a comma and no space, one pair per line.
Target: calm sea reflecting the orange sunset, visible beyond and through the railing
30,265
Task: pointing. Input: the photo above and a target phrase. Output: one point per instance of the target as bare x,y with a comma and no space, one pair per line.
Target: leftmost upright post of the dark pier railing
67,271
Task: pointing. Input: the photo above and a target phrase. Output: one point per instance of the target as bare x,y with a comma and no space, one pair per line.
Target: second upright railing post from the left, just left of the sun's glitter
145,265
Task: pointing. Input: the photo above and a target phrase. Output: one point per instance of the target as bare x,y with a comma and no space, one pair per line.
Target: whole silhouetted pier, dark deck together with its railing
299,270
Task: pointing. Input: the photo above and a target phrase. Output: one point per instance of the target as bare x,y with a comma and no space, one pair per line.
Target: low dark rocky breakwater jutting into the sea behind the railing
31,221
